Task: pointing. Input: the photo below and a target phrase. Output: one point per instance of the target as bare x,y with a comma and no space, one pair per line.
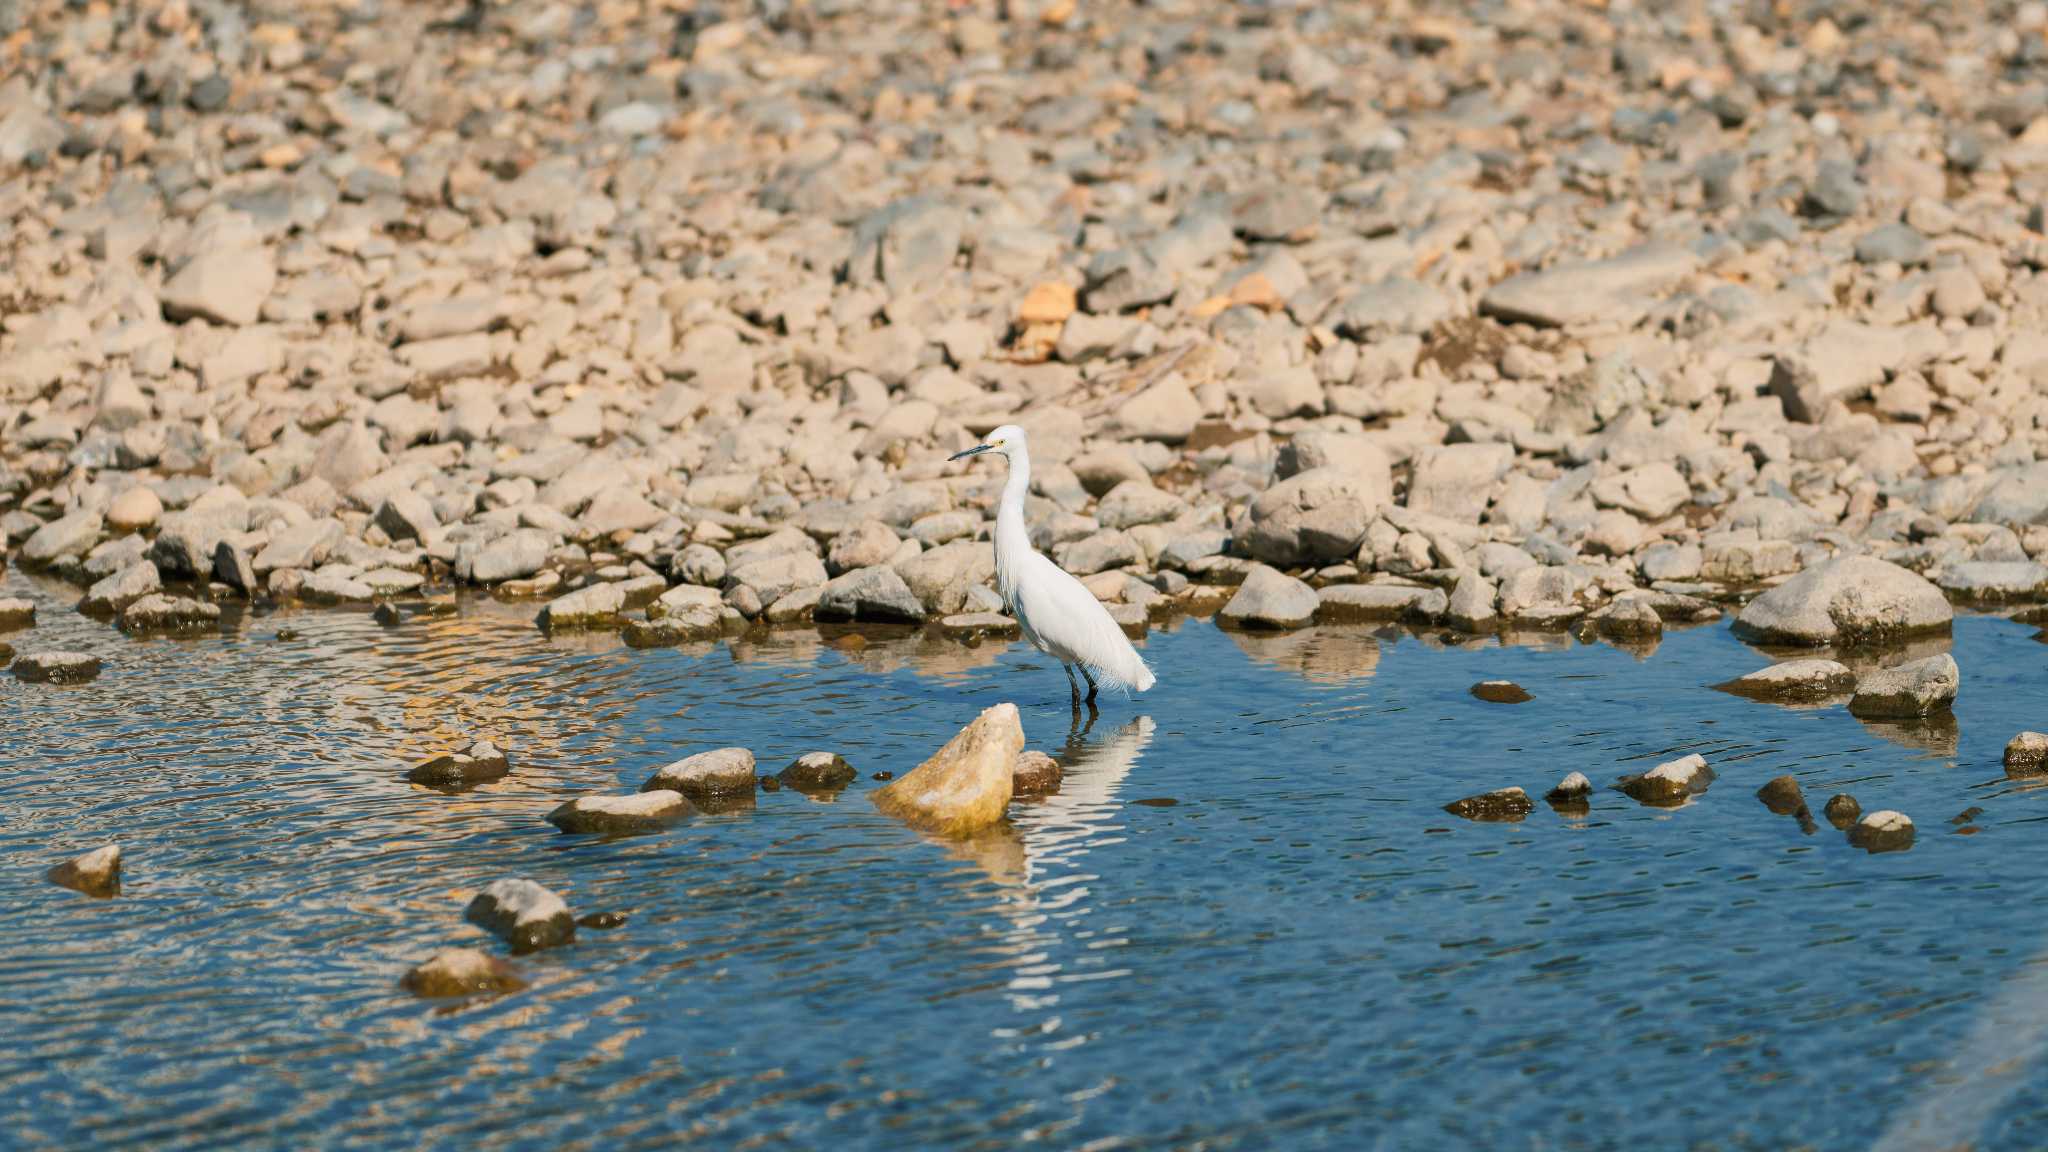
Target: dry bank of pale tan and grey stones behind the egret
1474,315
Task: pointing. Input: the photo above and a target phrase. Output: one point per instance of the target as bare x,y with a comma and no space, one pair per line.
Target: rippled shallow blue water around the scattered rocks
1304,952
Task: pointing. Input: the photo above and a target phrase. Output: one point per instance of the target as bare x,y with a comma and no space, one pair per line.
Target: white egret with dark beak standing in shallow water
1058,614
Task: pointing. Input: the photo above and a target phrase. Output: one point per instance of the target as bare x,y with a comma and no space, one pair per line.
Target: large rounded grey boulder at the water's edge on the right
1854,600
